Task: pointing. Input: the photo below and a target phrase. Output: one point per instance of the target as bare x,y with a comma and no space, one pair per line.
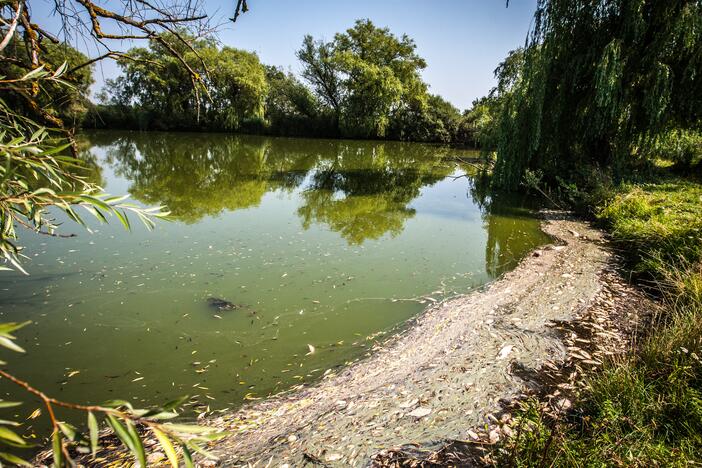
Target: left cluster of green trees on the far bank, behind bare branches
157,88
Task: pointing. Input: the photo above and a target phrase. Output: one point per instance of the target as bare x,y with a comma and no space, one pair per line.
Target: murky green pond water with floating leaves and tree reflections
332,244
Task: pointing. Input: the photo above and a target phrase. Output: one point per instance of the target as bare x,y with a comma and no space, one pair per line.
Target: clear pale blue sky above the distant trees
462,40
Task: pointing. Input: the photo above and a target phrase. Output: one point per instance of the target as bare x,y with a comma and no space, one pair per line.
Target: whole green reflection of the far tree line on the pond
360,189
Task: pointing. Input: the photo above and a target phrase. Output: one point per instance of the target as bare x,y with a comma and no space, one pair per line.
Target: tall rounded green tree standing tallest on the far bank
368,77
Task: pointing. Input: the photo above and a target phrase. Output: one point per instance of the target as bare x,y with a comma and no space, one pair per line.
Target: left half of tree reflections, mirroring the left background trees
199,175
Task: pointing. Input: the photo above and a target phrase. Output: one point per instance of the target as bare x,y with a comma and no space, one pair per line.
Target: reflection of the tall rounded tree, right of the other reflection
363,190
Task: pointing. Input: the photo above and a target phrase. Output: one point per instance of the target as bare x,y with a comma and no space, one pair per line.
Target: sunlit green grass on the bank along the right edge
645,408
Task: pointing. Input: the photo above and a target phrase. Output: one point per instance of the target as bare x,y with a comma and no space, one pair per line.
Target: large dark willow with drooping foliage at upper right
599,81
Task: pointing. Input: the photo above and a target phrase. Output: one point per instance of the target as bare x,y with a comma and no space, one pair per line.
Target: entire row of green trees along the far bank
364,83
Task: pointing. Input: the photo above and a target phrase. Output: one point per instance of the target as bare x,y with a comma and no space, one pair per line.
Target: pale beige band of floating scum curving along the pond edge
440,377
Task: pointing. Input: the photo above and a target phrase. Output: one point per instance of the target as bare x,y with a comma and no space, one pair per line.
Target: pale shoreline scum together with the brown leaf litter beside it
454,367
